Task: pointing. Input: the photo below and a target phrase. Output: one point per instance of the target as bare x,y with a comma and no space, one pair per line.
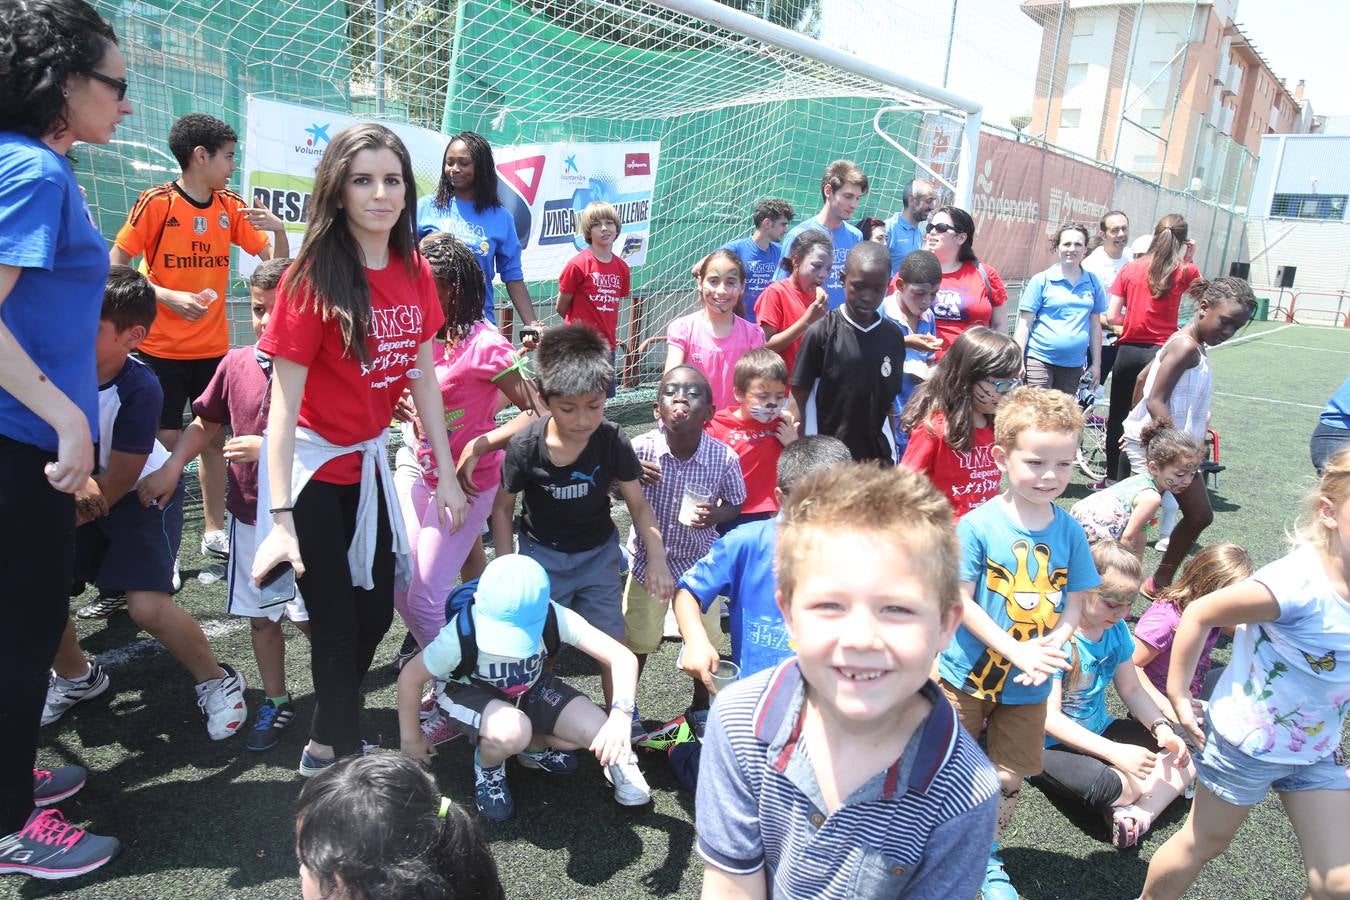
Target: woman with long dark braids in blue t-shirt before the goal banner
468,207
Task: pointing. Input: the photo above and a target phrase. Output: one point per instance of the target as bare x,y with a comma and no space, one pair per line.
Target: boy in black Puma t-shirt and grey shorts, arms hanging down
565,466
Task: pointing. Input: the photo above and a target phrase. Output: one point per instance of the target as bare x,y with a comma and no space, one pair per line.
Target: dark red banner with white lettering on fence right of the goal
1023,194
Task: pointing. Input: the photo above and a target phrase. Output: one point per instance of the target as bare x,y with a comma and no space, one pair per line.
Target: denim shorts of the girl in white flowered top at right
1244,781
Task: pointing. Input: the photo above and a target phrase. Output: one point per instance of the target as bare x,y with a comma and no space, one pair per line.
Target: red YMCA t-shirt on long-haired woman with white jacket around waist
345,401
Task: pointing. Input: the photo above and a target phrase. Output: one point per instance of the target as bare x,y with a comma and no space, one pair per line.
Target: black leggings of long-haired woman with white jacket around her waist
346,623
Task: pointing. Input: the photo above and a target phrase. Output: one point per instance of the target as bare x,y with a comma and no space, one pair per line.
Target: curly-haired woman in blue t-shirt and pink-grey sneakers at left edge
63,80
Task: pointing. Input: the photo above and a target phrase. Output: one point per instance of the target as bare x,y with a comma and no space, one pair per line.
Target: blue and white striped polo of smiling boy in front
920,829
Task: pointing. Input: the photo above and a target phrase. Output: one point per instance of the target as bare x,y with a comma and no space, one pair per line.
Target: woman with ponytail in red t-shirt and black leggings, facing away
1145,299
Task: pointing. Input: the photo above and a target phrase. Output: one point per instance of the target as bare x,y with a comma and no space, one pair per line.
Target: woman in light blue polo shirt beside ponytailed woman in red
1058,322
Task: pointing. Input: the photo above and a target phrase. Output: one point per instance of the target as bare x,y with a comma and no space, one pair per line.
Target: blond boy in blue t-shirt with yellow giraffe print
1025,570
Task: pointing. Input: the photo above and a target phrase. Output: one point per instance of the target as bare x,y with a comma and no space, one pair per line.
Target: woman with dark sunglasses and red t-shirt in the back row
973,293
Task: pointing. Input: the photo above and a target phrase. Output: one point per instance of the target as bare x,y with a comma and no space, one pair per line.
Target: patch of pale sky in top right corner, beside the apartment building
1303,40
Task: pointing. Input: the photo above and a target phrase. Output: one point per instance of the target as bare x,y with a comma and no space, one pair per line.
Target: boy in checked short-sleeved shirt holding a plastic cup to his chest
676,455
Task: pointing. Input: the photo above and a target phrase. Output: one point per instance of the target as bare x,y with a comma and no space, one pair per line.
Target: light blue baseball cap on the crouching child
511,607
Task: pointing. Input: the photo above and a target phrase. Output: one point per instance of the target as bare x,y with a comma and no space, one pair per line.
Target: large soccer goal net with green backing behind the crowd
736,118
